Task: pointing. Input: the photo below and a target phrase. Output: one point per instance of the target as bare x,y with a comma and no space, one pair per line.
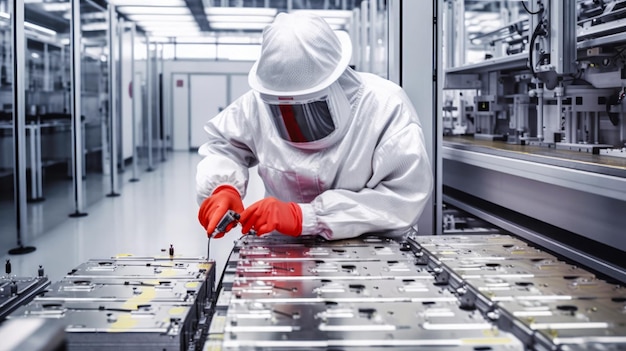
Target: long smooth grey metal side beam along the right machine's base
585,203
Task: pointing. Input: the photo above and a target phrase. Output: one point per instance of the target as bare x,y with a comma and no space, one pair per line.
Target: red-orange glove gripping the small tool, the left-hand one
214,207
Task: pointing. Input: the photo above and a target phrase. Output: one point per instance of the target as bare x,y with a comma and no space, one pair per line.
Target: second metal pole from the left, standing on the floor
77,138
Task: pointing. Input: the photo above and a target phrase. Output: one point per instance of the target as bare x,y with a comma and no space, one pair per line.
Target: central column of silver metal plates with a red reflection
358,294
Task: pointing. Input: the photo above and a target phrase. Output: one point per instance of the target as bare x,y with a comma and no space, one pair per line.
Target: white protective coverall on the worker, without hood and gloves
374,178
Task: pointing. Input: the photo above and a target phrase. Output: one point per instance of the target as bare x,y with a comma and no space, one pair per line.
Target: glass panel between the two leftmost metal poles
48,124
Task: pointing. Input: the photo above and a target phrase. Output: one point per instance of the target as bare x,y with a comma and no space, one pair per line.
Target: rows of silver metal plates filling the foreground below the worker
449,292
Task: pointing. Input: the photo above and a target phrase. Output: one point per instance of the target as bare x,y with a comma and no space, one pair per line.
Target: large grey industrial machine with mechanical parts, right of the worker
539,87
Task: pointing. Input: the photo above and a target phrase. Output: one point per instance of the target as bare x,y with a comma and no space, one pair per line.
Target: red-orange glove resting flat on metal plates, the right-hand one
271,214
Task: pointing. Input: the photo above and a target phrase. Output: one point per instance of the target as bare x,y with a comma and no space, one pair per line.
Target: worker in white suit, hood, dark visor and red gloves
341,153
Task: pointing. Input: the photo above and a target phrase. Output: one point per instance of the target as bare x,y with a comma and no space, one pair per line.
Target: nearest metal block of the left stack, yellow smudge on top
115,326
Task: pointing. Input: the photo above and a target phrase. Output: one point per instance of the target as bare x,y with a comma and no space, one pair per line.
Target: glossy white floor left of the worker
150,215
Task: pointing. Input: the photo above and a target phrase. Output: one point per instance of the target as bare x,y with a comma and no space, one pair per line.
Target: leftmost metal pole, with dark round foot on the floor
19,126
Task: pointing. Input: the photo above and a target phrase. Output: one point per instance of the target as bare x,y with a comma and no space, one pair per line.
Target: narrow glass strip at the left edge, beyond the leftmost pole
7,205
